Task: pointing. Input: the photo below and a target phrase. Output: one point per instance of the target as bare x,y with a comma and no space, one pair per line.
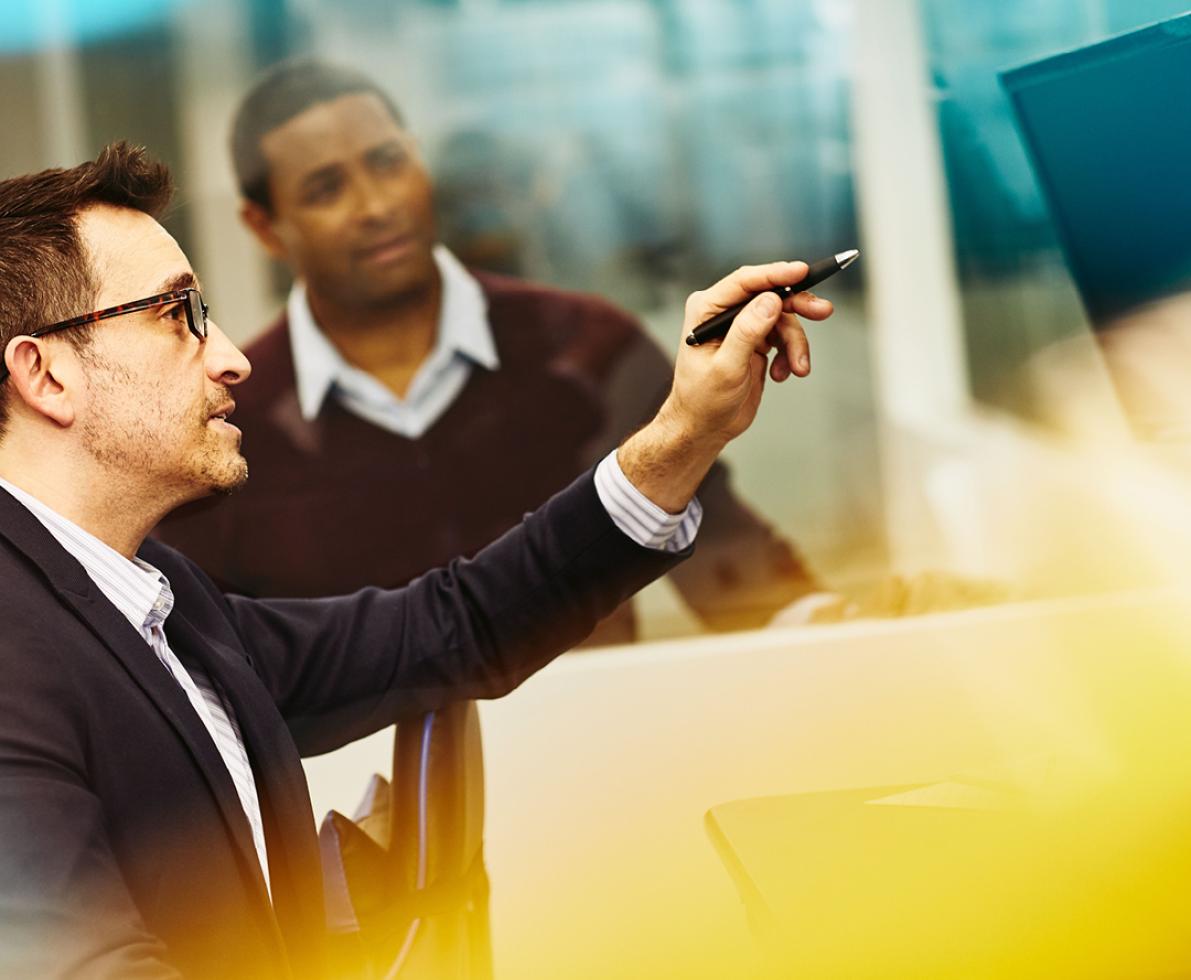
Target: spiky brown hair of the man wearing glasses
46,271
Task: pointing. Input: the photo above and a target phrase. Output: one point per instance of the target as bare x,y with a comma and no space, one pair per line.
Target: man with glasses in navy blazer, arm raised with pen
154,816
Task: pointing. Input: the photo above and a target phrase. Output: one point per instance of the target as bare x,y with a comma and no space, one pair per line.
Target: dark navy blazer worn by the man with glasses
124,852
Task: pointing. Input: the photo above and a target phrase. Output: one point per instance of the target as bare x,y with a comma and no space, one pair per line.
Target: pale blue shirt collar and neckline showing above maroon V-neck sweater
464,342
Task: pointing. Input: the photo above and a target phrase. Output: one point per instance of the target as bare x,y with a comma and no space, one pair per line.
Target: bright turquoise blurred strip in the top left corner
33,24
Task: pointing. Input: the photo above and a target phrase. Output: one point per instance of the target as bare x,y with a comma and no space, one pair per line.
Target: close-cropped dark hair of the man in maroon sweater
282,93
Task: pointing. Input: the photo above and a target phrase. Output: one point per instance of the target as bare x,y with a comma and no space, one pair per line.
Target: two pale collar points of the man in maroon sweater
464,329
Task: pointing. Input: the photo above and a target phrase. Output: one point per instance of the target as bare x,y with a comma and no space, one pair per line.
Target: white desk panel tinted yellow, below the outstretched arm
601,769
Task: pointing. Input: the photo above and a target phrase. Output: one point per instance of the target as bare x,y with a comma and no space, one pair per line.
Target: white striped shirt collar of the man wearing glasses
135,588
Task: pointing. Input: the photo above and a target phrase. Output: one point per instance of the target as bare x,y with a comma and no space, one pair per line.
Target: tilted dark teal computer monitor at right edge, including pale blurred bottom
1108,130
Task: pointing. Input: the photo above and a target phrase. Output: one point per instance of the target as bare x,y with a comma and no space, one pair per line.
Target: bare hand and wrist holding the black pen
718,386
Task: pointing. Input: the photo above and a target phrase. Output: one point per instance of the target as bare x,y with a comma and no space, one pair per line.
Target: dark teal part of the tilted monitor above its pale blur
1108,129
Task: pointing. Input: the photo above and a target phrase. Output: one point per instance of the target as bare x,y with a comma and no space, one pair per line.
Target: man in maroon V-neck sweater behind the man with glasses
398,384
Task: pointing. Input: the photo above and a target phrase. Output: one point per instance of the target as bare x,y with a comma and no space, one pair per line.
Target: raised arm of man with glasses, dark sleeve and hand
345,667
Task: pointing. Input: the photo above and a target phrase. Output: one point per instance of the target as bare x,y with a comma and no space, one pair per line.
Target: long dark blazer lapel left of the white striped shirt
67,577
